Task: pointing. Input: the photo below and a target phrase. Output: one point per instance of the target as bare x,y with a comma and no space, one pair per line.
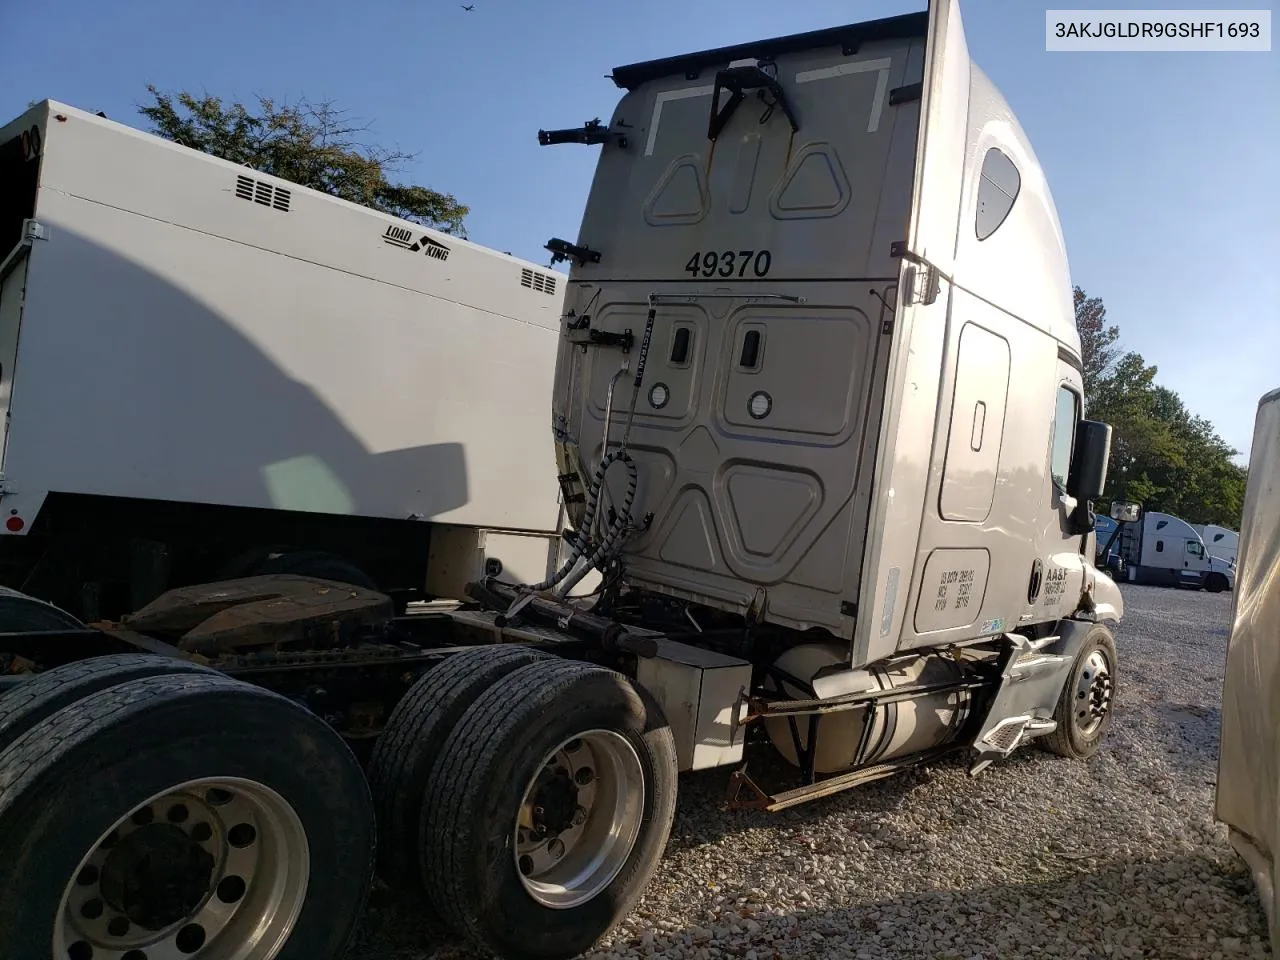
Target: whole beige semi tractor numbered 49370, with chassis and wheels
819,424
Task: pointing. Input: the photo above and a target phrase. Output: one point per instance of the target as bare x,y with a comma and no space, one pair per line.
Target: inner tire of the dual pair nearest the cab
415,735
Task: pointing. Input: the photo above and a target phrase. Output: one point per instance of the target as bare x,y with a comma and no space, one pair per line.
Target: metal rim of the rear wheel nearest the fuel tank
579,819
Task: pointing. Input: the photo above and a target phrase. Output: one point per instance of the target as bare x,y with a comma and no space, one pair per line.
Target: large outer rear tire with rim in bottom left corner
182,816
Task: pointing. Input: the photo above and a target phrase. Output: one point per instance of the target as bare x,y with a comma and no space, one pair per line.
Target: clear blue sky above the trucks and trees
1164,167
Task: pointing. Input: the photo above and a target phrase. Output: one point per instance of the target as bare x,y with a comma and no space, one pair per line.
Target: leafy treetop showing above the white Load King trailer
313,145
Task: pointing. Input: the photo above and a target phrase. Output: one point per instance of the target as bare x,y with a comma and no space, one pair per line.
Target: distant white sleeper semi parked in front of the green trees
1163,550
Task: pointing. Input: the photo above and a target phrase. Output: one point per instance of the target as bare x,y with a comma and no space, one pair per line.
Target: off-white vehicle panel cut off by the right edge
1249,776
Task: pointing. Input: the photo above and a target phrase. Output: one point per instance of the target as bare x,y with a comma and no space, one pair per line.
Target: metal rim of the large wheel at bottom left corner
212,868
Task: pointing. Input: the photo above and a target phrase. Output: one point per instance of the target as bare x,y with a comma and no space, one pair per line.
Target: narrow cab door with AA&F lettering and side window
1058,573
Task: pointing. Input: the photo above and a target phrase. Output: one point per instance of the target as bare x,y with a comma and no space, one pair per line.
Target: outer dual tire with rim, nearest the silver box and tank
548,811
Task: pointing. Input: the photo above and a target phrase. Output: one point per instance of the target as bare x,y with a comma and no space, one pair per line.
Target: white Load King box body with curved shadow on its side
209,372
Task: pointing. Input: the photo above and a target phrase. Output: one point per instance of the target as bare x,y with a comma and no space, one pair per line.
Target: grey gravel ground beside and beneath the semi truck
1036,857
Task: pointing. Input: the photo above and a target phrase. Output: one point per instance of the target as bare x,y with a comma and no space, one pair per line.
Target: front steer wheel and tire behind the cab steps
1084,711
